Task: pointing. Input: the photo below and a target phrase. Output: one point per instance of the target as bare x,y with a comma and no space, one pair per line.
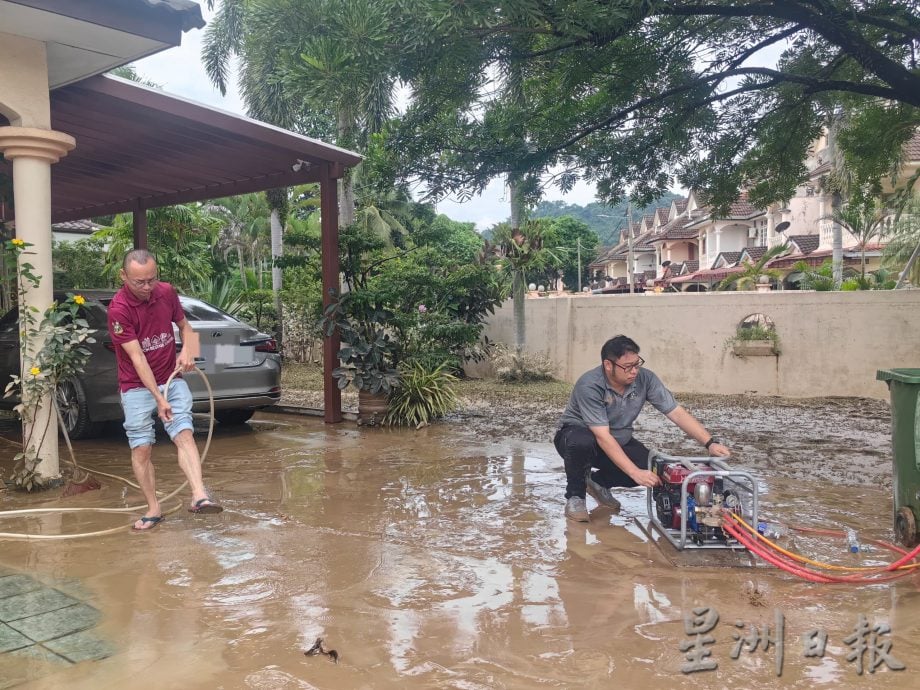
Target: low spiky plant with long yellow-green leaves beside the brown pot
425,394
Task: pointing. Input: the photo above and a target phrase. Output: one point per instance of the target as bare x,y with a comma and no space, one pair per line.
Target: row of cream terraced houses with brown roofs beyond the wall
704,247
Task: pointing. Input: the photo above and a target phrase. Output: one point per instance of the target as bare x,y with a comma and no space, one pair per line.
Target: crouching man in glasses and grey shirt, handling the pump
596,428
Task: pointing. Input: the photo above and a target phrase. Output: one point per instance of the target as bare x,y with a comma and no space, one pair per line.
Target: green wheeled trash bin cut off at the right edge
904,388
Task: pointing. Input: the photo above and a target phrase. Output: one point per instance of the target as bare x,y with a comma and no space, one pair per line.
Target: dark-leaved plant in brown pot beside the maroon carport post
366,358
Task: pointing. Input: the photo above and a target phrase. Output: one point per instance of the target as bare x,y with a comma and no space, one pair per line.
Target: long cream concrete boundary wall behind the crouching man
831,343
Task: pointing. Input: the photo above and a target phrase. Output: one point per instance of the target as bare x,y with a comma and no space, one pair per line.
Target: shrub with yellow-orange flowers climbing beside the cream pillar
53,347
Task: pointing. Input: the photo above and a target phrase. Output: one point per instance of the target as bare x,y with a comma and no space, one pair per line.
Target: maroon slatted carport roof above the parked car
139,148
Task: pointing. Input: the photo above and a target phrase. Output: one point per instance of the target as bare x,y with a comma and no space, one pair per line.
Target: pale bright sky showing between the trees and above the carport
179,71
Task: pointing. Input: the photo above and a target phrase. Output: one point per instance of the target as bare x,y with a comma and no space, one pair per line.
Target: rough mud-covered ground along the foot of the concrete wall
847,440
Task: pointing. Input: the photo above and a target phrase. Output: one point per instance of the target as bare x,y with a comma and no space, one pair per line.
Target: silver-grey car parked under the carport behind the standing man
242,365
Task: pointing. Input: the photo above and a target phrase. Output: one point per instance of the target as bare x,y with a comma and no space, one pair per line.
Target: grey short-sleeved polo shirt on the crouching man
594,402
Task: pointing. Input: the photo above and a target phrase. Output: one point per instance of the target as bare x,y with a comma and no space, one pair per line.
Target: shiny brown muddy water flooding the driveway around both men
440,559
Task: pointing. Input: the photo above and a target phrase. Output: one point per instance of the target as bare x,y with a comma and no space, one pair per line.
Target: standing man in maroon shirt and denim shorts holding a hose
141,316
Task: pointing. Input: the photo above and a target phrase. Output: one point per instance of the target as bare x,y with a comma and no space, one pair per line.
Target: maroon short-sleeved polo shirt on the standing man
150,324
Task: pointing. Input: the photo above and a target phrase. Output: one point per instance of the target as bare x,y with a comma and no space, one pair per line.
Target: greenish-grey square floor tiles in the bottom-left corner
43,625
